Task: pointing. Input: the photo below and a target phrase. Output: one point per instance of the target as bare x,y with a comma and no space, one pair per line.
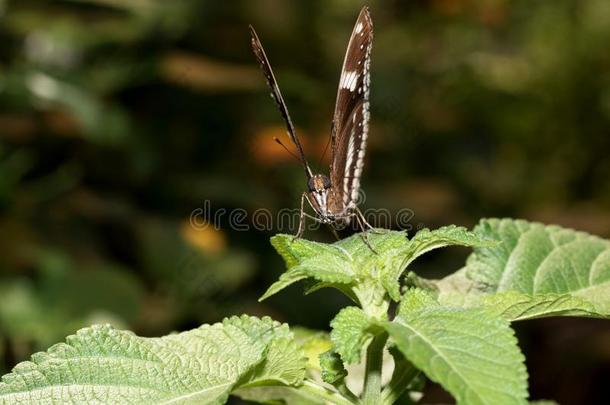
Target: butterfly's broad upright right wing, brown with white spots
351,118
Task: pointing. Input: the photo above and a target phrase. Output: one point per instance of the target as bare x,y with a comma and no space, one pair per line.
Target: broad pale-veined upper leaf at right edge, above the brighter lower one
537,259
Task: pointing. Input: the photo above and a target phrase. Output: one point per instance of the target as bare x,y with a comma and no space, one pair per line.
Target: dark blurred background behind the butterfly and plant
120,118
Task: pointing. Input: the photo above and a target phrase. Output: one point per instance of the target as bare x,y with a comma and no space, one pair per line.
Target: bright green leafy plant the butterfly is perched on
455,331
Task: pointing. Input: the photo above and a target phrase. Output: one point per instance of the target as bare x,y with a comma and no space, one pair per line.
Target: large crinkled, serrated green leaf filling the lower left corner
101,364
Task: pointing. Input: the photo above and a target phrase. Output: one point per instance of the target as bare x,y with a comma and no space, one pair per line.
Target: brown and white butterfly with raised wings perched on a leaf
334,197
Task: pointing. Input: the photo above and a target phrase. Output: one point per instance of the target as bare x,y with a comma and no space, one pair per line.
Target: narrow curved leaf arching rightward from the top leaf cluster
399,258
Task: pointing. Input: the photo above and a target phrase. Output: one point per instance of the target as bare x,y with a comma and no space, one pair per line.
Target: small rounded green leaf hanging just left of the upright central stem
351,331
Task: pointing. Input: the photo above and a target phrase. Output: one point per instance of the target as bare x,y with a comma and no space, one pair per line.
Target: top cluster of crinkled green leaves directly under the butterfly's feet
347,262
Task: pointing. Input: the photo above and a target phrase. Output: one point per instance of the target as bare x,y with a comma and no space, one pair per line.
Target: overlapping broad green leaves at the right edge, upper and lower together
538,270
